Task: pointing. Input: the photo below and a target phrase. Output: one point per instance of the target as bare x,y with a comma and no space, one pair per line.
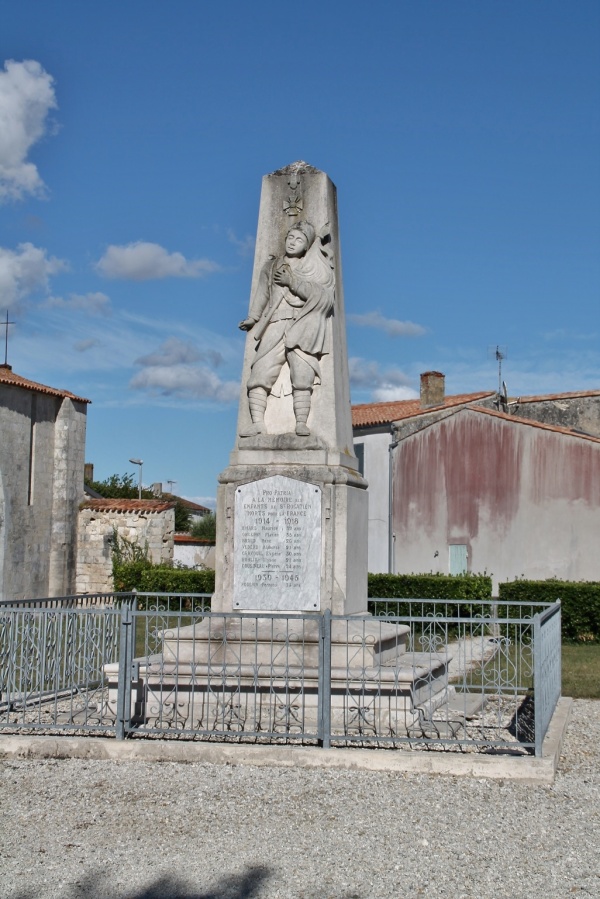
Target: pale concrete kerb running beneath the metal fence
525,769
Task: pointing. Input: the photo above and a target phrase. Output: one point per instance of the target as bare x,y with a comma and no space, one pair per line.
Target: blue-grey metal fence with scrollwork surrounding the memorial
436,674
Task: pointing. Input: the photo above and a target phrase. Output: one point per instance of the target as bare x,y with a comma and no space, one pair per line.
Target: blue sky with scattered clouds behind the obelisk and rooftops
464,141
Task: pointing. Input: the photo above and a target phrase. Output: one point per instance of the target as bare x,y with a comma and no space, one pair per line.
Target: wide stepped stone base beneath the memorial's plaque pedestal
252,675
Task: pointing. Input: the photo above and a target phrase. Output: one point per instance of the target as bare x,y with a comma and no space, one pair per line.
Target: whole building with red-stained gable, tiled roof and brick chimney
480,482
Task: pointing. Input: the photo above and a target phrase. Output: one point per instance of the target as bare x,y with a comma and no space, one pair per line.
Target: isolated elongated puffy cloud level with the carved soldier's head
143,261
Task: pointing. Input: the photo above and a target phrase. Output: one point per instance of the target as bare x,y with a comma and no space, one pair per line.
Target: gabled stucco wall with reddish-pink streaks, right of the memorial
523,498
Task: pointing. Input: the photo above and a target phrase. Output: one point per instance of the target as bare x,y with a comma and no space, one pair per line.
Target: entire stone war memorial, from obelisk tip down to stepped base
291,547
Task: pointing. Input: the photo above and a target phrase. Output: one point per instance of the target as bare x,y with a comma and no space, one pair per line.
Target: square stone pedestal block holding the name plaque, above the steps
293,538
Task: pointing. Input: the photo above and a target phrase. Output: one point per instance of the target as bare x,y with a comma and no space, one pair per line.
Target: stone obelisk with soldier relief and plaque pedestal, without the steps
292,506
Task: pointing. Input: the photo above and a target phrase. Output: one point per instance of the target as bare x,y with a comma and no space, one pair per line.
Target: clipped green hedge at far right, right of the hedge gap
580,604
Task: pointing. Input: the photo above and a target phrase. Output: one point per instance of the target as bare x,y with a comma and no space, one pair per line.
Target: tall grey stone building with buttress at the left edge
42,442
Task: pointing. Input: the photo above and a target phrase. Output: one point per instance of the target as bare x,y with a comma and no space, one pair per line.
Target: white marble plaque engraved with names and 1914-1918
277,546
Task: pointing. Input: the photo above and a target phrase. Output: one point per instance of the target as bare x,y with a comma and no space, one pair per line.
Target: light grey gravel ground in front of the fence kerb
126,830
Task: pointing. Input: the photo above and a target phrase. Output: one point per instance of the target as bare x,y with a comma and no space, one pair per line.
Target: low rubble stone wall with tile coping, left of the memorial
94,544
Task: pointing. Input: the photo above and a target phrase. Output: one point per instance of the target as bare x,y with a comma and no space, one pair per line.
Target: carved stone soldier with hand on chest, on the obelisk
288,319
